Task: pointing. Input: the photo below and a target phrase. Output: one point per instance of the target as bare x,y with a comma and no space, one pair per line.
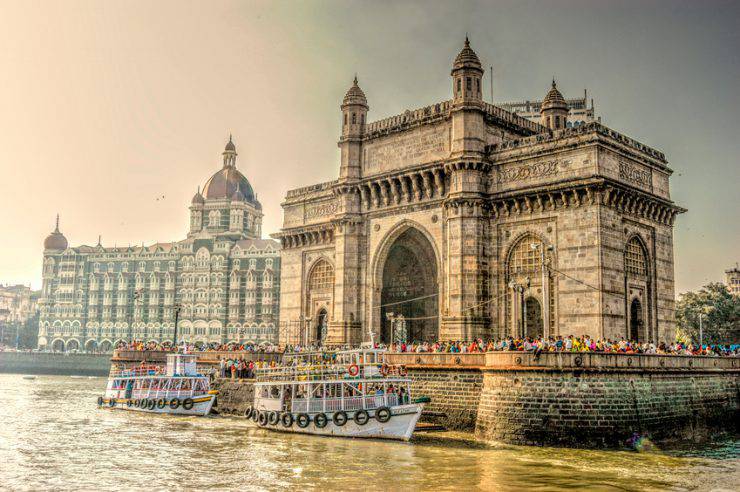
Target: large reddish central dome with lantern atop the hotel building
228,206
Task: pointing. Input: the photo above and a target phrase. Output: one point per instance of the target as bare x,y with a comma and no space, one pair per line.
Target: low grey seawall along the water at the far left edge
53,363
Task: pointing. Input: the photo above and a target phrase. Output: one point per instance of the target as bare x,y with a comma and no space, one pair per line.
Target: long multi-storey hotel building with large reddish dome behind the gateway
220,284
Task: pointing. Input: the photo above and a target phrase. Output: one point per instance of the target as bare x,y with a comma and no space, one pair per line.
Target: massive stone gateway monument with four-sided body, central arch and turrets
442,218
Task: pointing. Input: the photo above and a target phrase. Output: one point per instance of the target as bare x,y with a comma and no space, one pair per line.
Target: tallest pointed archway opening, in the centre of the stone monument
409,289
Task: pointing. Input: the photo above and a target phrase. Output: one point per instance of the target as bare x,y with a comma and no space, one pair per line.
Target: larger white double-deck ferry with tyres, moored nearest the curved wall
350,394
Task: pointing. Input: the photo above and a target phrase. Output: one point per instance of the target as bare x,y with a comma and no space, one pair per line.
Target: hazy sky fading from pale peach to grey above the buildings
106,106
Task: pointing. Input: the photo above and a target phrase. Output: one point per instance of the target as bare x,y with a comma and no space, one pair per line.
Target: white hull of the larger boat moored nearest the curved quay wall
400,426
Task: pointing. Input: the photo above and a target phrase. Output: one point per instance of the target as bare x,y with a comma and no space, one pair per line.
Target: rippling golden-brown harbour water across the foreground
52,435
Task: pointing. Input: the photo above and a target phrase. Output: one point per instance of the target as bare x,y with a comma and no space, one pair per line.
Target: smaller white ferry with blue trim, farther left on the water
177,389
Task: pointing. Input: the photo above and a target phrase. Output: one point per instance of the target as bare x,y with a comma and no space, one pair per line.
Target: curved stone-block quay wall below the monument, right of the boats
570,399
